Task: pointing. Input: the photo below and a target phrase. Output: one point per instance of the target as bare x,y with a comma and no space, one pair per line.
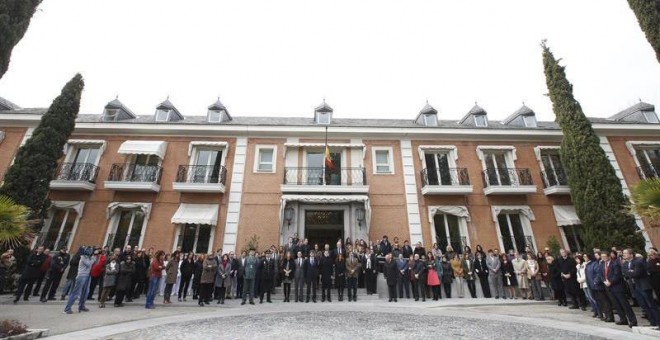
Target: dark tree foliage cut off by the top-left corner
15,18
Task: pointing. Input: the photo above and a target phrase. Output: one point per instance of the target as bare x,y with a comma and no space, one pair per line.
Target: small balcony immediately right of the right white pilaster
452,181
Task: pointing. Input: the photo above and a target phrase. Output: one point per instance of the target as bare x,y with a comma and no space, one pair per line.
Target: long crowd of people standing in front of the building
603,281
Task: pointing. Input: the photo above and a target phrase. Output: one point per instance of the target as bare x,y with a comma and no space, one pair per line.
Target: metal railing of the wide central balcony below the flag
325,176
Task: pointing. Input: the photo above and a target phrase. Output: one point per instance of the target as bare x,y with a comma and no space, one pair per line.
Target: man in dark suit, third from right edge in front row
613,280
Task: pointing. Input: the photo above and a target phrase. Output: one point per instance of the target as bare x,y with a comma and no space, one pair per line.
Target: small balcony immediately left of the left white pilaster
200,178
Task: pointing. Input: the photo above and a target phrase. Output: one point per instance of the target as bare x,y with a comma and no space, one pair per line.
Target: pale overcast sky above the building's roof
369,59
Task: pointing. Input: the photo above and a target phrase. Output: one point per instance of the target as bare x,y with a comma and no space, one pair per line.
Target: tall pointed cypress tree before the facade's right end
595,188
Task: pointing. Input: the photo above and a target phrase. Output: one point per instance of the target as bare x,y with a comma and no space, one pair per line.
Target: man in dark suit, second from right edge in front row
642,289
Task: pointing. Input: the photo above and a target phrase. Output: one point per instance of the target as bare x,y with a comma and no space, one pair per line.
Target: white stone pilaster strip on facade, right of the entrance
412,203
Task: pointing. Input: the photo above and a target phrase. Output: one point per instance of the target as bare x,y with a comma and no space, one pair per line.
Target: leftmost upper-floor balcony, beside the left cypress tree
75,176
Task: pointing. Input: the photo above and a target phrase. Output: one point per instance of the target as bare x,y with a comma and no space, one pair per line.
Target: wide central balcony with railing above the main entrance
322,180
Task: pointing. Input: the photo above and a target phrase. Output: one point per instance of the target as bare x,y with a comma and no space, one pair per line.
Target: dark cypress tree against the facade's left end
27,180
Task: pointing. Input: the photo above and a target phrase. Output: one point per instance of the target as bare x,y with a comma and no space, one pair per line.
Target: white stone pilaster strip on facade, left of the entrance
235,194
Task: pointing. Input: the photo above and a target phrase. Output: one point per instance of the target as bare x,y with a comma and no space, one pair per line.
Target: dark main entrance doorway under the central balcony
324,227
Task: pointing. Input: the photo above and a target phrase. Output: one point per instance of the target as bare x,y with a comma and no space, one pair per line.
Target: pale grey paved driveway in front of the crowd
460,318
